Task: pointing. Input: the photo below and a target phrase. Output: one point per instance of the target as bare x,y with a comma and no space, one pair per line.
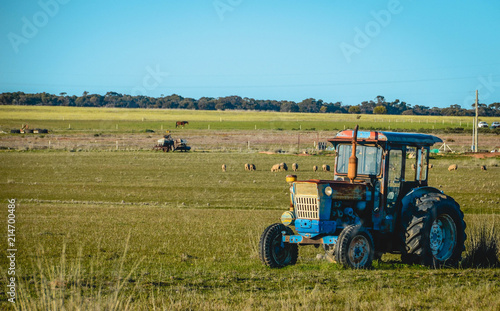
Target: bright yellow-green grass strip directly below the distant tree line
119,120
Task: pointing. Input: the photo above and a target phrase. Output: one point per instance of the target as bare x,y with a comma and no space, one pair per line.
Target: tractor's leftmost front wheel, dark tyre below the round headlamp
273,252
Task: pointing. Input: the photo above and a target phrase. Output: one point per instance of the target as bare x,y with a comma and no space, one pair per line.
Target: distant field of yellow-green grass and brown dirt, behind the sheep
77,129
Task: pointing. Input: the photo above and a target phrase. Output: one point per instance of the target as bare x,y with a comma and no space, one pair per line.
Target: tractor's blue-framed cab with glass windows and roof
392,164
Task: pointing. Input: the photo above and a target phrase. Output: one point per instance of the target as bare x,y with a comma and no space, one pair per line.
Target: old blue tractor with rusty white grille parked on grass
378,202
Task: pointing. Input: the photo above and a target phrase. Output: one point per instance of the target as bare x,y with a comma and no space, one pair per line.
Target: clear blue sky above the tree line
431,53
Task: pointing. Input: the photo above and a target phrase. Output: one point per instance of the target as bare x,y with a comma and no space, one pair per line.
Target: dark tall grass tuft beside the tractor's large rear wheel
483,250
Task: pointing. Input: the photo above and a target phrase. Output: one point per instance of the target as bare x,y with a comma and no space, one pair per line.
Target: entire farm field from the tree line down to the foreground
104,222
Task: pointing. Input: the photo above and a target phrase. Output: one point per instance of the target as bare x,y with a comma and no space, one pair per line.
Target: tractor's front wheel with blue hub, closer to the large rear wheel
355,248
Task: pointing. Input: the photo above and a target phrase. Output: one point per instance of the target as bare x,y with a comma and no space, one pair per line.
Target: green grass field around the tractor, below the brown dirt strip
144,230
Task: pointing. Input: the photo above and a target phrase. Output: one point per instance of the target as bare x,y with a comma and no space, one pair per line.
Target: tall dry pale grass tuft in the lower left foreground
69,285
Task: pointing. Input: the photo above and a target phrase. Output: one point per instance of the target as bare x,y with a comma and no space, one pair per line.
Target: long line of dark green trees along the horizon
112,99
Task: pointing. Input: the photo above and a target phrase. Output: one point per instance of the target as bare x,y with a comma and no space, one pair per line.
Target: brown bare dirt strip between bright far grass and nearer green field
256,140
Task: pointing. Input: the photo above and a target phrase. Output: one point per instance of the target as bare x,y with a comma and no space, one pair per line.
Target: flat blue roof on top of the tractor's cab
391,138
